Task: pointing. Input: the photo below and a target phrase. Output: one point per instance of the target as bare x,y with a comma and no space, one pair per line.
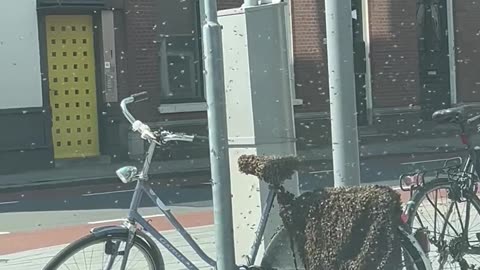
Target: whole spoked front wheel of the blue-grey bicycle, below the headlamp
106,252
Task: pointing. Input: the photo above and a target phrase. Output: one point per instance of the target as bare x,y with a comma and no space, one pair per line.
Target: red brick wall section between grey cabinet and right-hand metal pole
310,54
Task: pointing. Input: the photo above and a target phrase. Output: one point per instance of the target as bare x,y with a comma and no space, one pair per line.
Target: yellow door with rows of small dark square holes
71,75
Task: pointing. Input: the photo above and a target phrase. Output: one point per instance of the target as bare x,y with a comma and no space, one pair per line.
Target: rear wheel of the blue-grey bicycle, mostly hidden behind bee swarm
279,254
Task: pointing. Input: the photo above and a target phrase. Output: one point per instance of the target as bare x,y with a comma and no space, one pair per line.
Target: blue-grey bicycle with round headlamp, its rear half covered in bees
119,242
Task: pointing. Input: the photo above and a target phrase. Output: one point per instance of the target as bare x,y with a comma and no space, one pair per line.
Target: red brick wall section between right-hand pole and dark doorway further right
394,53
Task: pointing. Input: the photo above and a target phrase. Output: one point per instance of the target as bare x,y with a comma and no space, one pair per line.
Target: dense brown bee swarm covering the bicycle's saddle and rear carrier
352,228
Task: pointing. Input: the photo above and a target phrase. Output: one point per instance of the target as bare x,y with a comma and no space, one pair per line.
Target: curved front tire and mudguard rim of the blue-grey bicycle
154,257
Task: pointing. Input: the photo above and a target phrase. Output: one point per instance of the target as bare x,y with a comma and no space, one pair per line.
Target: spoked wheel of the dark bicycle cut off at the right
452,226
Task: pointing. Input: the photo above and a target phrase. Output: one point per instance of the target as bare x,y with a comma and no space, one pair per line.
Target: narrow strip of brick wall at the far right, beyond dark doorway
467,40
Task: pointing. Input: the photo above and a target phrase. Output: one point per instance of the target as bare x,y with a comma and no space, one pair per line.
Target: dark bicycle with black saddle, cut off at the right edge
456,183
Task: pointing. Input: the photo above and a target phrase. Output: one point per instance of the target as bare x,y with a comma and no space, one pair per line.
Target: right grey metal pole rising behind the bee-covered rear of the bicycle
342,93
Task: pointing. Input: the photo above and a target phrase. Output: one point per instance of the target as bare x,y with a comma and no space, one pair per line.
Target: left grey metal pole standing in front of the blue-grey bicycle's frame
217,131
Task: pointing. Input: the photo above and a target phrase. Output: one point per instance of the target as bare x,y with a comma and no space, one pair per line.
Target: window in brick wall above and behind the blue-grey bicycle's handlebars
180,53
